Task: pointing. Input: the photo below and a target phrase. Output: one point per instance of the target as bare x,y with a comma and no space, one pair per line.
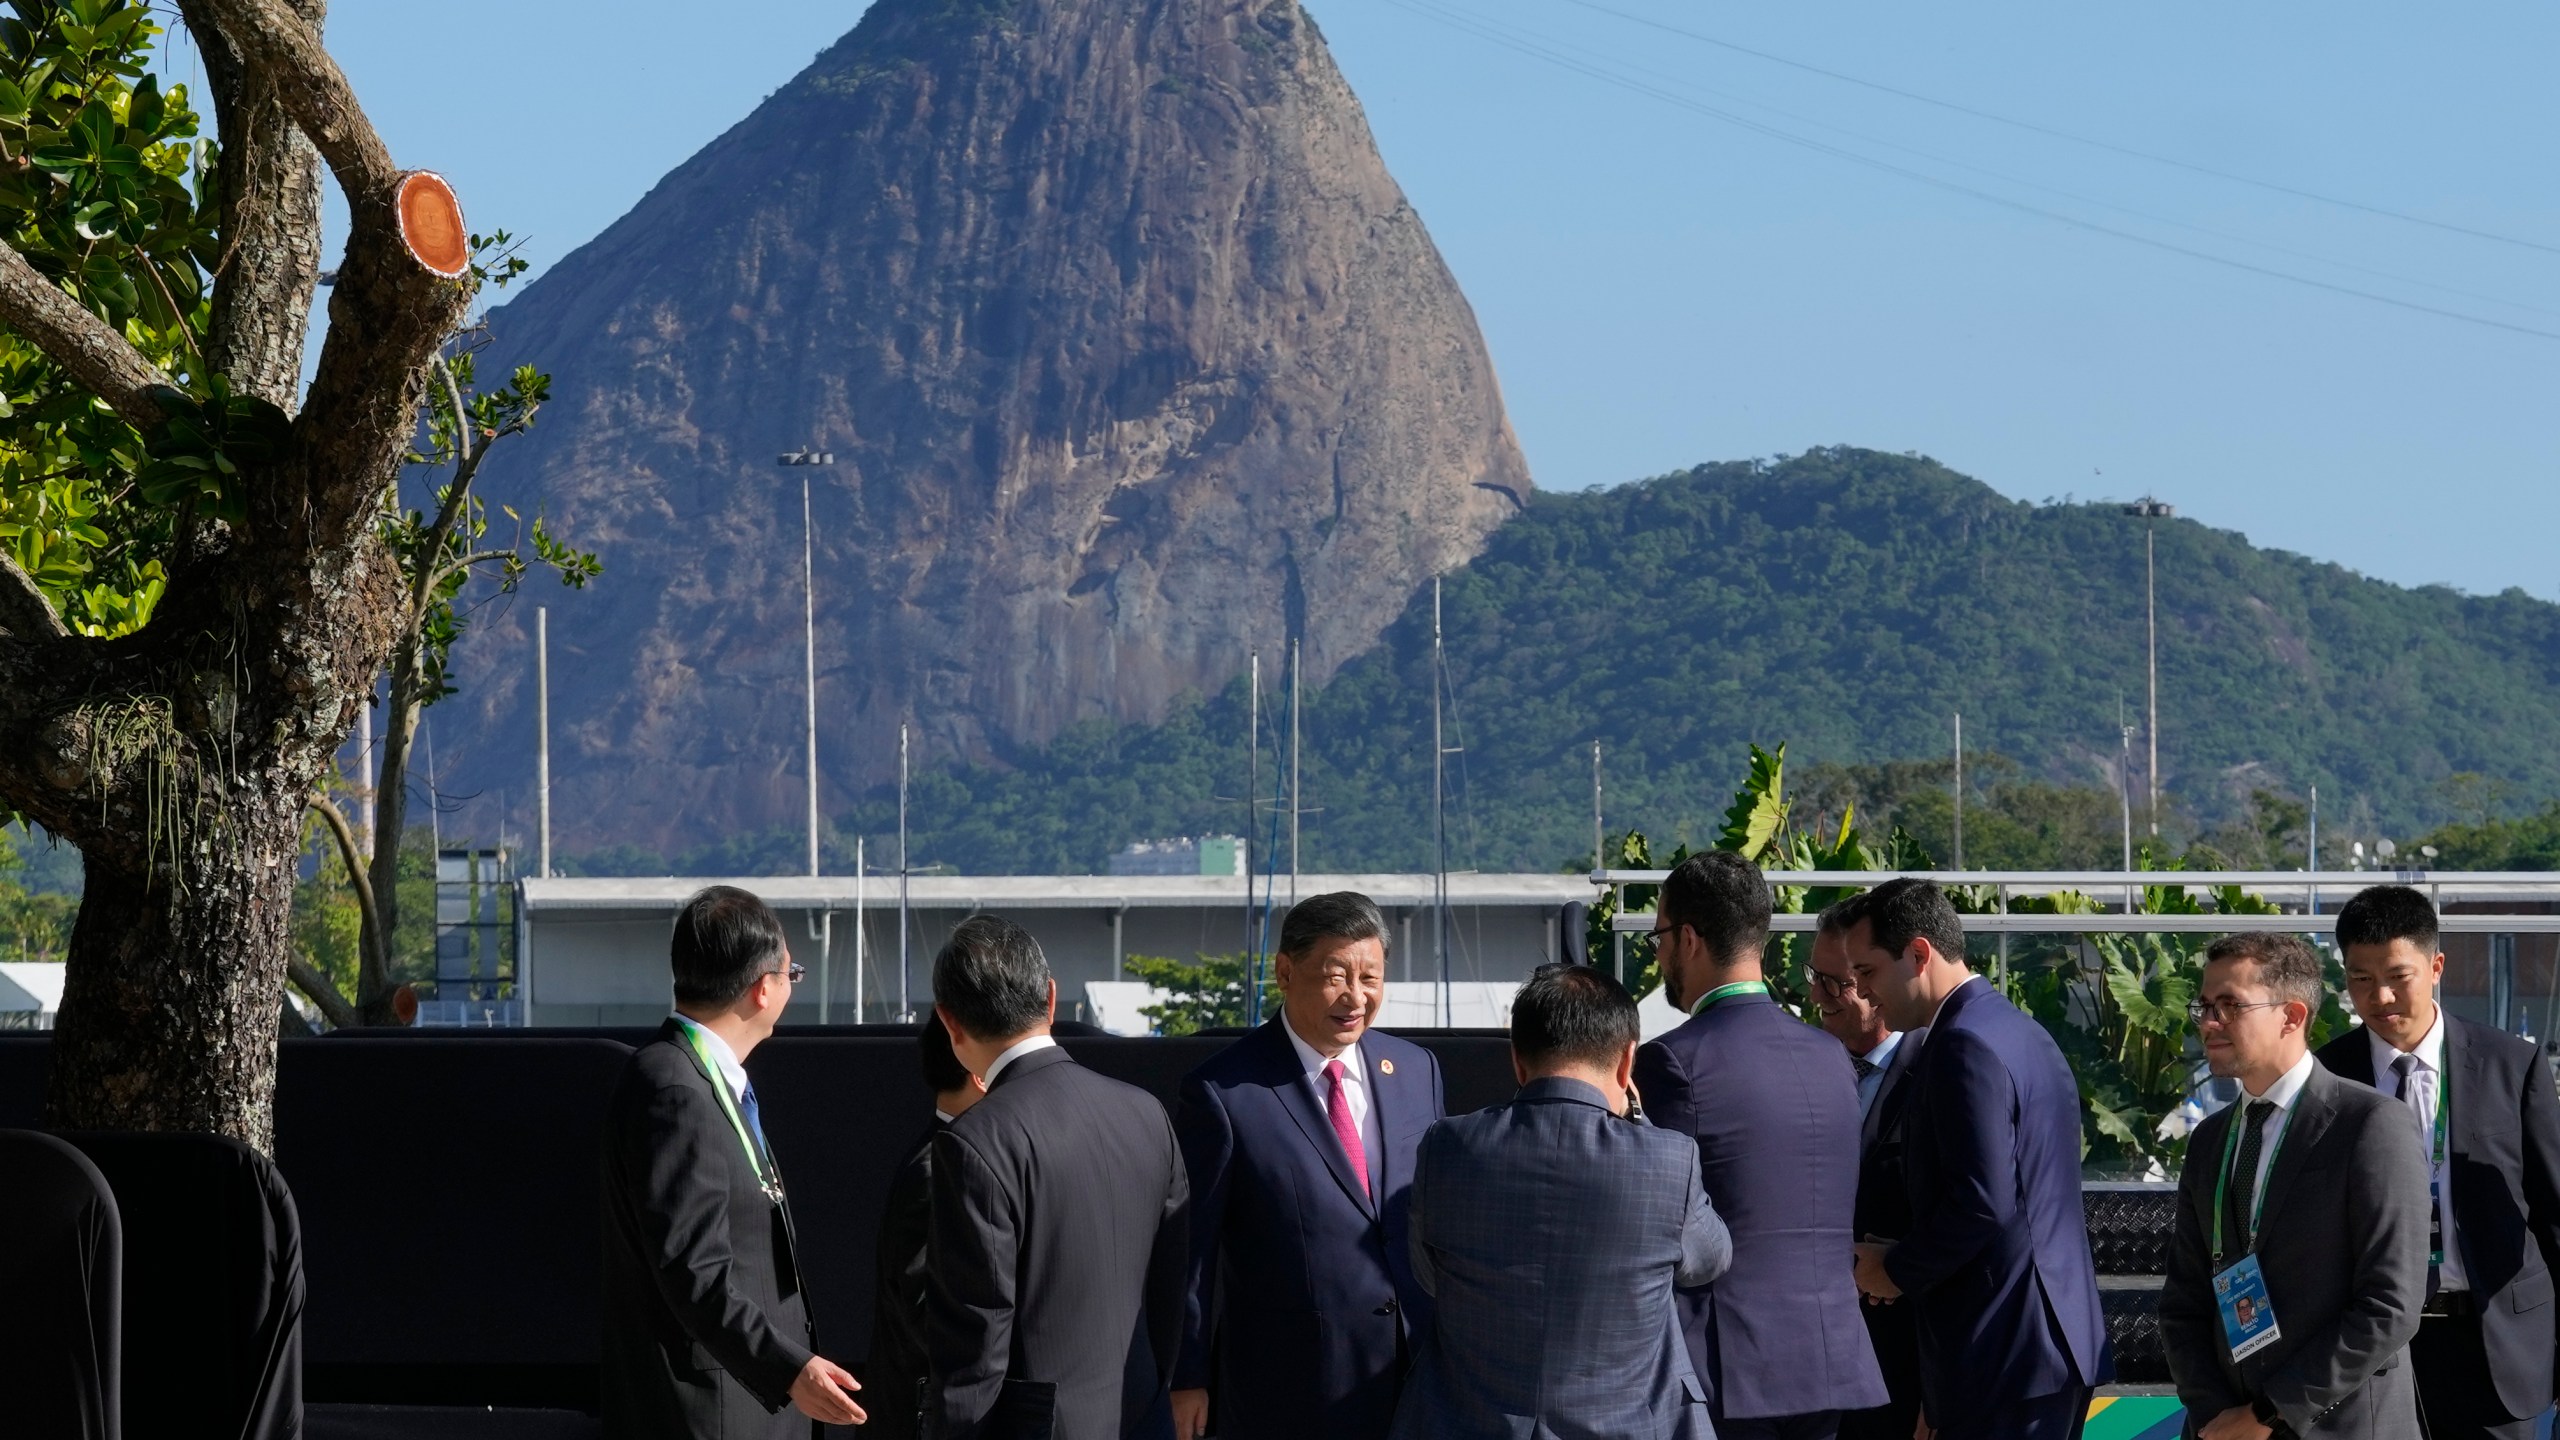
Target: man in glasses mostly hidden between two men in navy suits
1883,1060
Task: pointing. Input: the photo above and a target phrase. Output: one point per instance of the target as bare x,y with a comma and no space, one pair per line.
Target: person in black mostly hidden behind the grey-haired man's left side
897,1367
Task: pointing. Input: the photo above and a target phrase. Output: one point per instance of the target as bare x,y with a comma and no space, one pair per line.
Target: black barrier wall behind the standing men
452,1188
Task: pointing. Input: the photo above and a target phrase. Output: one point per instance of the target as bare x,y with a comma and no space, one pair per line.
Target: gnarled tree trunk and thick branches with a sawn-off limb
180,757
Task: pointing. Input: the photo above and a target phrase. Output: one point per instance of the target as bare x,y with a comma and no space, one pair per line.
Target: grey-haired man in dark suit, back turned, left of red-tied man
1056,1223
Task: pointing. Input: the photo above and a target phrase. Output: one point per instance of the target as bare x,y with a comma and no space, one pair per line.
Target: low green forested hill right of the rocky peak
1847,603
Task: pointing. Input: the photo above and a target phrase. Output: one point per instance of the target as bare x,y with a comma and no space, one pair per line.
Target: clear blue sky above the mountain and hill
1663,286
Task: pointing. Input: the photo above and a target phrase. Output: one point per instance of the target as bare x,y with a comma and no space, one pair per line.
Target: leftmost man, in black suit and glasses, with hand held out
705,1321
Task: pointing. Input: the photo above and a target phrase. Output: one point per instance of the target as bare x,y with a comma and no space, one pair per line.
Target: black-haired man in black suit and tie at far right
2484,1111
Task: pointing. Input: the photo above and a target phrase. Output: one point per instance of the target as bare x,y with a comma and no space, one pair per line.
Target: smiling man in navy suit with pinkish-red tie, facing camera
1299,1141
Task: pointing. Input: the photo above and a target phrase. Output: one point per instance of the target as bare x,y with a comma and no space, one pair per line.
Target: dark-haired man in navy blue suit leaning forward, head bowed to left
1998,1257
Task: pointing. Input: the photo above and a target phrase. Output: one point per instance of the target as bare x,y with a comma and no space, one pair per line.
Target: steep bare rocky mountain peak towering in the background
1130,355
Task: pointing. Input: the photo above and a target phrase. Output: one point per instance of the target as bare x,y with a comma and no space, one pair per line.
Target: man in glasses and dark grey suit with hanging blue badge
2300,1259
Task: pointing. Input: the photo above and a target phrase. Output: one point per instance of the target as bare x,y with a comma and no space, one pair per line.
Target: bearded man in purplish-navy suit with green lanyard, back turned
1775,1111
